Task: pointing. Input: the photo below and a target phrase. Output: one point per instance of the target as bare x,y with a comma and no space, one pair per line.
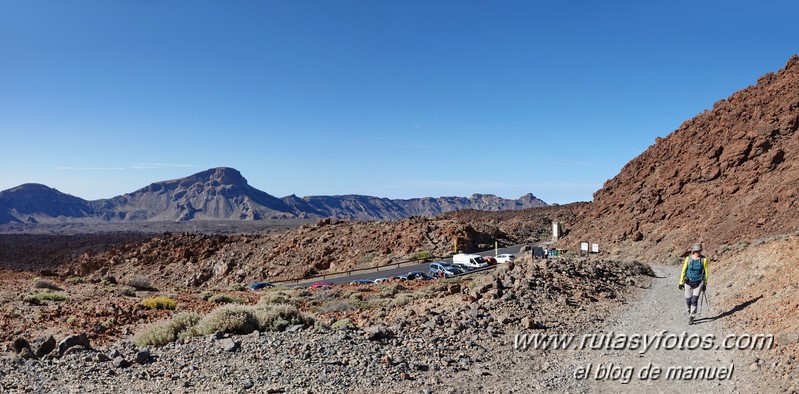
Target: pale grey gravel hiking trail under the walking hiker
659,308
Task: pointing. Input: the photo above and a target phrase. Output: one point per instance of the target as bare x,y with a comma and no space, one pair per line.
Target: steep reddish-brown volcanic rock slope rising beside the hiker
728,175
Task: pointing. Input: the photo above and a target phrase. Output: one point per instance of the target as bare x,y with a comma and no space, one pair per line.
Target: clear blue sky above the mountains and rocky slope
395,99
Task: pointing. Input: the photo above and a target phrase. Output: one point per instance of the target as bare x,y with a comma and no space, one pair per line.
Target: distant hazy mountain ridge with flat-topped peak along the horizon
224,194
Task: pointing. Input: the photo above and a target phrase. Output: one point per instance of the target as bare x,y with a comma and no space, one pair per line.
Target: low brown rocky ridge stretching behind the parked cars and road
207,260
